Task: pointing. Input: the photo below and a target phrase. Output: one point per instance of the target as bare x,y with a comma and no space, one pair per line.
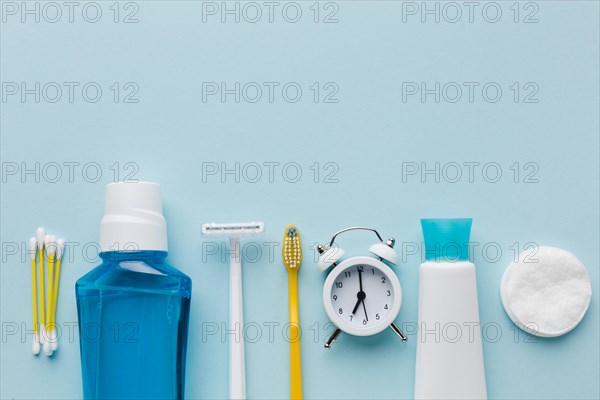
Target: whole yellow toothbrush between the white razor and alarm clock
292,259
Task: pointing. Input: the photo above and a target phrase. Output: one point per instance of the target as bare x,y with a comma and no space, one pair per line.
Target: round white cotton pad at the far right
546,292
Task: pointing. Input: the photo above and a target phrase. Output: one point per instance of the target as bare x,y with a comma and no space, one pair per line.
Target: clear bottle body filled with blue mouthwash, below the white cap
133,325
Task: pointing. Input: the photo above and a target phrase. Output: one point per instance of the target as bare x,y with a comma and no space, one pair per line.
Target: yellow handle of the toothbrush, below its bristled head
295,358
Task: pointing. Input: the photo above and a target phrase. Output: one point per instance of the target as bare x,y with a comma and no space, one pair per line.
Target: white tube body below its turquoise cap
449,349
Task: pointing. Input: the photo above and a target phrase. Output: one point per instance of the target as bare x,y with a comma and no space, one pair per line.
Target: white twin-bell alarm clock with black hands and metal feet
362,295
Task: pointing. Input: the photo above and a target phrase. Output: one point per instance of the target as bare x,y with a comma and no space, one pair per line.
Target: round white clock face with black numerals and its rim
362,298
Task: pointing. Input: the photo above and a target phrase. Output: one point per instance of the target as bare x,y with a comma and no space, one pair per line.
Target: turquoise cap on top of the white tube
446,239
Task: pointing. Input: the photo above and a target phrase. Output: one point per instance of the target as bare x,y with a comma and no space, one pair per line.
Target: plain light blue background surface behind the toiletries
374,140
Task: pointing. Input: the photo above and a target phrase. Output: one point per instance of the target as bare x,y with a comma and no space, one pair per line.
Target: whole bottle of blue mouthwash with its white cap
134,308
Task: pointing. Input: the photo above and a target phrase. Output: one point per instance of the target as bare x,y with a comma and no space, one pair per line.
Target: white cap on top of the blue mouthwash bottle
133,218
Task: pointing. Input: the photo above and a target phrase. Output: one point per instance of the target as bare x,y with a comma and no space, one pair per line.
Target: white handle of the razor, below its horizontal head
237,372
